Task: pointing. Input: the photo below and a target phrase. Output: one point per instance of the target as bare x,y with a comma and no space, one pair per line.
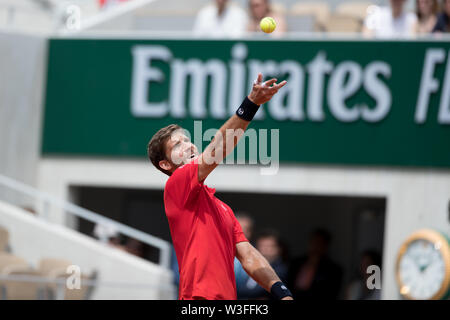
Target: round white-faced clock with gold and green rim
423,266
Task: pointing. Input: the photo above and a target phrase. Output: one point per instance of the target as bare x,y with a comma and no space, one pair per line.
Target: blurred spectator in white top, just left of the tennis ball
221,19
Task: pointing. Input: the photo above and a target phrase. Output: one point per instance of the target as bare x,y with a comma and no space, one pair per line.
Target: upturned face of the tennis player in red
180,150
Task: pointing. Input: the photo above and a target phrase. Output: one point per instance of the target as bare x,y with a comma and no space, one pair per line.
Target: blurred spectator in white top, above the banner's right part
390,22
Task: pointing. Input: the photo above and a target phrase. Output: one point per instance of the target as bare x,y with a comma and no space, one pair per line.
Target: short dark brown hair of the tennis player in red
156,148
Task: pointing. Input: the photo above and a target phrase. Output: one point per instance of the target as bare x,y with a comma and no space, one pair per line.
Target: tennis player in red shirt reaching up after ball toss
205,232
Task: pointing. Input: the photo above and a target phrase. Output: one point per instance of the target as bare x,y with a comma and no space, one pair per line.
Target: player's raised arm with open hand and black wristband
229,134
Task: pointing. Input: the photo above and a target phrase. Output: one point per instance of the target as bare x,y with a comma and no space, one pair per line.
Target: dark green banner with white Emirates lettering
346,102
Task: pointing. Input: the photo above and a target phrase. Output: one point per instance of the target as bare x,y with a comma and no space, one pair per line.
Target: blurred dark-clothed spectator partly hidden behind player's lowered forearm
269,244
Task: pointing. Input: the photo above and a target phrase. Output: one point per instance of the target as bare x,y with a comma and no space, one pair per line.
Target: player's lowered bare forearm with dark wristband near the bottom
260,270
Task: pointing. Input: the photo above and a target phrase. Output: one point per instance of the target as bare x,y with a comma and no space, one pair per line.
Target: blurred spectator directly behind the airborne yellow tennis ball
260,9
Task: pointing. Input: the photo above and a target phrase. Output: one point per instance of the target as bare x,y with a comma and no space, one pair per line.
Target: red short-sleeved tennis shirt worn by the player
204,232
